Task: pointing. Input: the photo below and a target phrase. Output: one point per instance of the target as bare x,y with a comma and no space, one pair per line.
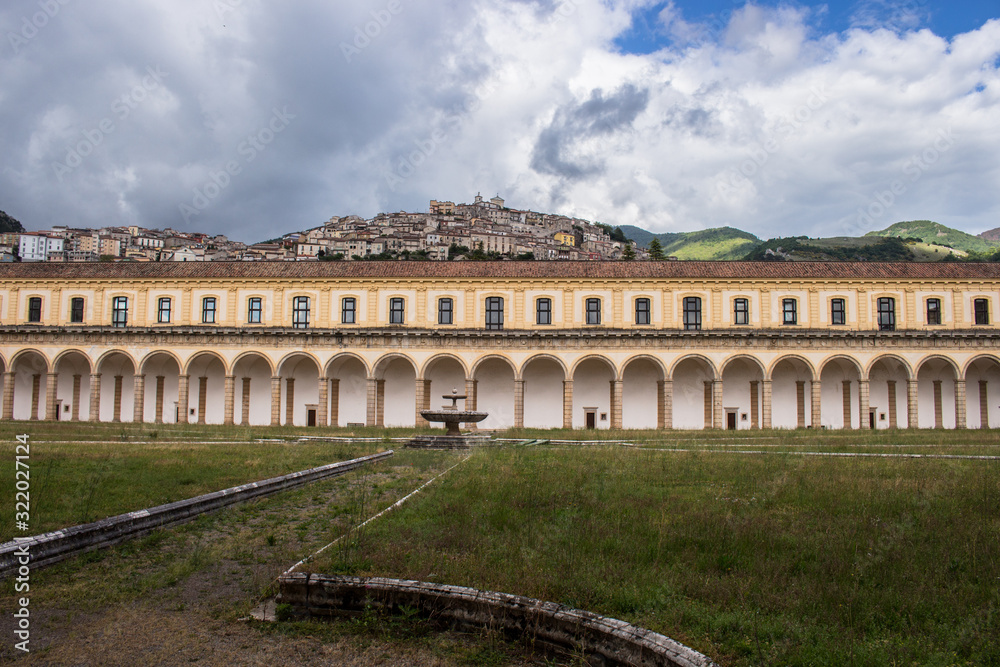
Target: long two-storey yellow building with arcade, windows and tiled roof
682,345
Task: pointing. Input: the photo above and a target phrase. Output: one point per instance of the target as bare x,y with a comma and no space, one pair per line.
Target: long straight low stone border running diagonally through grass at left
59,545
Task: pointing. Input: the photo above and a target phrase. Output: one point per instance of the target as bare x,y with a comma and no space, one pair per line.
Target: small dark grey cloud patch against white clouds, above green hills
599,116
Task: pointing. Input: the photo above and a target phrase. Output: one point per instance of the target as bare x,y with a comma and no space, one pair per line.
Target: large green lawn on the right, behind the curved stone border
776,559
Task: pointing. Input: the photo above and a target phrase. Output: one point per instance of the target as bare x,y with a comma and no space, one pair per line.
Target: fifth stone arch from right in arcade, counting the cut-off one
795,392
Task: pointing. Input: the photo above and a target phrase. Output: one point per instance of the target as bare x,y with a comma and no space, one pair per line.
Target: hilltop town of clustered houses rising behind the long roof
484,229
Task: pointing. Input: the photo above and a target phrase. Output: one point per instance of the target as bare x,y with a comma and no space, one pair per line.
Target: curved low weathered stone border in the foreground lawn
605,641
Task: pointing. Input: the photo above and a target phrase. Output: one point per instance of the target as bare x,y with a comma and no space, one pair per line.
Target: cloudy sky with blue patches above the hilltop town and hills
253,118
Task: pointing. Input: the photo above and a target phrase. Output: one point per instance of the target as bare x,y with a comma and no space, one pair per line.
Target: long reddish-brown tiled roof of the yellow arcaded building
501,270
